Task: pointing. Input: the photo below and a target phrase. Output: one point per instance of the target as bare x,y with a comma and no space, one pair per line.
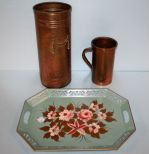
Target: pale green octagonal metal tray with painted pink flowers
76,119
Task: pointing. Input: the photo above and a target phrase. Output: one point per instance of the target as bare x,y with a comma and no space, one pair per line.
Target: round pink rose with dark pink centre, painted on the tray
85,114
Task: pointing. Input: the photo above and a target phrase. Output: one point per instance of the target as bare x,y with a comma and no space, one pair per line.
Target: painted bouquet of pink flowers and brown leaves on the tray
75,121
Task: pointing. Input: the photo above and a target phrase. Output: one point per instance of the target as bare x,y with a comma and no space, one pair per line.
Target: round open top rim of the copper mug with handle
112,43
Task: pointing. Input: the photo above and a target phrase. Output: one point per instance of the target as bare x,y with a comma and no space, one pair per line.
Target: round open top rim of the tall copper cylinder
41,7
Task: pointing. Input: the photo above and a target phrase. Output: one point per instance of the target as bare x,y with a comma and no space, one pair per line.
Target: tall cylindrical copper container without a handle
53,30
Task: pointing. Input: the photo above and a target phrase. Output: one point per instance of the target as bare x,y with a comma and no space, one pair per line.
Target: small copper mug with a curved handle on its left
103,53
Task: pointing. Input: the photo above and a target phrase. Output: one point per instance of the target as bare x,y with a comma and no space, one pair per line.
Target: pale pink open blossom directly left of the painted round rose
66,115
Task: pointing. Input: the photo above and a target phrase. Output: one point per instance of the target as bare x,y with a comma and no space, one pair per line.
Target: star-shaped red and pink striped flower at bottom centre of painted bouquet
76,127
